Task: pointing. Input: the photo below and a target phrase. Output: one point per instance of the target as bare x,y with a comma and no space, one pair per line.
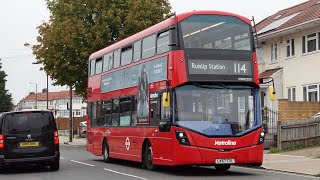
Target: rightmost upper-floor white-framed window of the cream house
310,43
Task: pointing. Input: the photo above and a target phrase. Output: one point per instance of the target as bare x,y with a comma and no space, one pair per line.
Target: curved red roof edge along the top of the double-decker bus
157,27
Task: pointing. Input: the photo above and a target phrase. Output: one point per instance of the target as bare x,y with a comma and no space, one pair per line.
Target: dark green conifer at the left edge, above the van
5,97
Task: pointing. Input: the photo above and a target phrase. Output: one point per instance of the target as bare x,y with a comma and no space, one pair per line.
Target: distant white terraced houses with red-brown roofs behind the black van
58,102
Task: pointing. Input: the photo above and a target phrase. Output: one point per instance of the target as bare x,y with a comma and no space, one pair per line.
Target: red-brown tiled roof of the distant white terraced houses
51,96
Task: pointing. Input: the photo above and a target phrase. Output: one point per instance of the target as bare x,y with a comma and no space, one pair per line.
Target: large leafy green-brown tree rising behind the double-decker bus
78,28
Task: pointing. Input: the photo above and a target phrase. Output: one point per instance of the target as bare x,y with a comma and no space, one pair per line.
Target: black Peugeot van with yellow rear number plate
29,137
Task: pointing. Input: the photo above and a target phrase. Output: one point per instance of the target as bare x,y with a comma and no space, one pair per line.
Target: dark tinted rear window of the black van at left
28,122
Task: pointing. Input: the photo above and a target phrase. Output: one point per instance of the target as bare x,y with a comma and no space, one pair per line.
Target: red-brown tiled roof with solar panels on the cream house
296,15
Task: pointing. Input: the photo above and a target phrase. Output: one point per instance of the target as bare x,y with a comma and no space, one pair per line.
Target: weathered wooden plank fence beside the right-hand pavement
300,132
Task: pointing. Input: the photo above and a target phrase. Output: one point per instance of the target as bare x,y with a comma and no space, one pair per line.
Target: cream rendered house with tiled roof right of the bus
289,53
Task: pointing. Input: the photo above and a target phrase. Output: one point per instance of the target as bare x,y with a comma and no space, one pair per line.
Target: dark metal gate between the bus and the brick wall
269,121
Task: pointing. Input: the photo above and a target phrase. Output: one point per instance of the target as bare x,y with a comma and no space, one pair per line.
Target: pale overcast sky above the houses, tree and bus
19,20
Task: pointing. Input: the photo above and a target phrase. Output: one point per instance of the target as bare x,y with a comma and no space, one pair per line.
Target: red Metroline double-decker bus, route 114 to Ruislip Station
182,92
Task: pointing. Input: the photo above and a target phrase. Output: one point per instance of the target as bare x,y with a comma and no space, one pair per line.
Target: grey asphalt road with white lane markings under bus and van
78,164
